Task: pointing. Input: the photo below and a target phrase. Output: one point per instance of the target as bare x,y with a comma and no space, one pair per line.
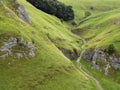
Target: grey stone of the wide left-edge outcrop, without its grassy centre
12,41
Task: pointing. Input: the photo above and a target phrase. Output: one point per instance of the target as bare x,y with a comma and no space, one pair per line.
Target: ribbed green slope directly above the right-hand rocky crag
102,30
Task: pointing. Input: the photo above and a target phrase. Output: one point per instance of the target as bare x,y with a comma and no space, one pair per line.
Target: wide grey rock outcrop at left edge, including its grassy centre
24,49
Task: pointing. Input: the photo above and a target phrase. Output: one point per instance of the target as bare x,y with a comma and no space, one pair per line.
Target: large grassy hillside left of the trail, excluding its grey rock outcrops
49,69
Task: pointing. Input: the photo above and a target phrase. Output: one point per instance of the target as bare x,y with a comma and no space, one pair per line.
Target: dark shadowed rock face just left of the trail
71,55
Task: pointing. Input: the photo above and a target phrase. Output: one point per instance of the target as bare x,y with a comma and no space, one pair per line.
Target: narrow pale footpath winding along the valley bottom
85,73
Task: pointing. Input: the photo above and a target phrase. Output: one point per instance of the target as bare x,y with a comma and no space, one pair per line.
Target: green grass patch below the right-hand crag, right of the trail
110,82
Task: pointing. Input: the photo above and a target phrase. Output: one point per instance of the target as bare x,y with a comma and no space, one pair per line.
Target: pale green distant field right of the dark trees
93,6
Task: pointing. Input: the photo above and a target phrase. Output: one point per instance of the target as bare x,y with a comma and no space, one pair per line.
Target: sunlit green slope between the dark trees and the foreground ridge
52,28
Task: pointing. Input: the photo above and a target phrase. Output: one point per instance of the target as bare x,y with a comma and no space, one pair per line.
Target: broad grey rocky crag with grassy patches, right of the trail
102,61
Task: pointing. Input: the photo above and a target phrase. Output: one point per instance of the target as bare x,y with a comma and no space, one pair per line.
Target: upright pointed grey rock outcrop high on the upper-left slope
21,12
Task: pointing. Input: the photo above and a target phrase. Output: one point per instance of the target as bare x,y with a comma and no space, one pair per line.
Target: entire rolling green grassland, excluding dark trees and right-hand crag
34,60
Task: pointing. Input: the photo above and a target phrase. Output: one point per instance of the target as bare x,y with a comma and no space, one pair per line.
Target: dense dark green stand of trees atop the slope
54,7
